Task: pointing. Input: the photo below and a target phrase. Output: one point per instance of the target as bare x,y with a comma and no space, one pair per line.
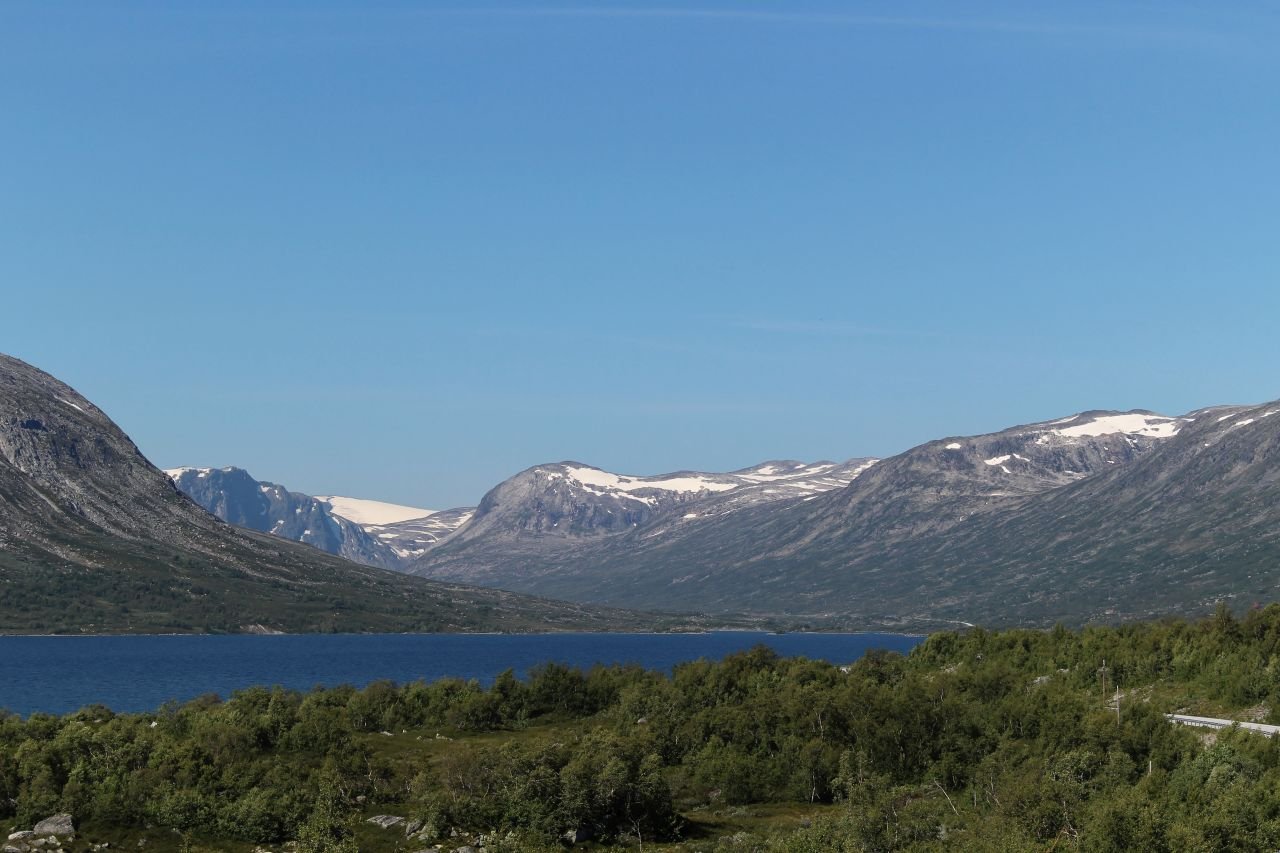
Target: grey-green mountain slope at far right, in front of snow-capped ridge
1192,523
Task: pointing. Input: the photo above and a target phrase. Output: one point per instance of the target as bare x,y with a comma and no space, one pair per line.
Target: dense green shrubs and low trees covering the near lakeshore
977,741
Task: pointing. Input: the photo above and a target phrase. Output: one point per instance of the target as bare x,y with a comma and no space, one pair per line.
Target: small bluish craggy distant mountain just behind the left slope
235,496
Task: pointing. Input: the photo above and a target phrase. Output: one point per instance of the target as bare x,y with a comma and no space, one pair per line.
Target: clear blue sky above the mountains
405,250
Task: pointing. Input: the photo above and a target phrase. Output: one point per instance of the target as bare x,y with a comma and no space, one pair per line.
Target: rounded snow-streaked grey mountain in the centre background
555,514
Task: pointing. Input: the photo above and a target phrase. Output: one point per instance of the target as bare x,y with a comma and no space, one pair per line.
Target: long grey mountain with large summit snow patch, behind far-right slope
836,554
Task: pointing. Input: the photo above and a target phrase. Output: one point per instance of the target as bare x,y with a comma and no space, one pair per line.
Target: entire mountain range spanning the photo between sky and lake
1096,517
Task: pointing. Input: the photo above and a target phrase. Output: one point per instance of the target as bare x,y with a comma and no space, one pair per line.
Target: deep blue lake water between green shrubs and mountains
63,674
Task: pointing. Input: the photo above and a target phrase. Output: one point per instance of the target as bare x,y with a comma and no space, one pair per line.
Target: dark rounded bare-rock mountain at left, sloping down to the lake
94,539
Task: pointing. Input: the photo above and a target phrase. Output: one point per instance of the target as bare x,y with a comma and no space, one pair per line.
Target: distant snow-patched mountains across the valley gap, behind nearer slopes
545,509
